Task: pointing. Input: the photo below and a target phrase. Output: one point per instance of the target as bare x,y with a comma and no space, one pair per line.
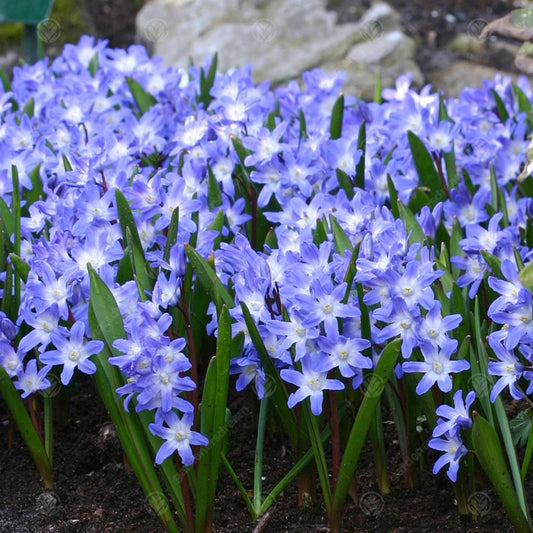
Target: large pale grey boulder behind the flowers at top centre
281,38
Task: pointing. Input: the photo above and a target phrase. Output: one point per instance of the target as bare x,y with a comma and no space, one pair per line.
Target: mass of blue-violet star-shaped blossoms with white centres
327,241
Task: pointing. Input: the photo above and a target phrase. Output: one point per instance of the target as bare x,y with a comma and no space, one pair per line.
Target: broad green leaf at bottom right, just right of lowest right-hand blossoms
490,455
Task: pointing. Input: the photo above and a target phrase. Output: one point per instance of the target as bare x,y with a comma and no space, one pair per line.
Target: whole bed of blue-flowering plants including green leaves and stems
176,233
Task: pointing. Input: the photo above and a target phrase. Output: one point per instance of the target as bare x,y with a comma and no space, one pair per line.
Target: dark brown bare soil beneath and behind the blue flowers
96,492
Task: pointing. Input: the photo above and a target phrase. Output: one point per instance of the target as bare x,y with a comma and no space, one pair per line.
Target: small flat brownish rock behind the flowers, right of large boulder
453,78
